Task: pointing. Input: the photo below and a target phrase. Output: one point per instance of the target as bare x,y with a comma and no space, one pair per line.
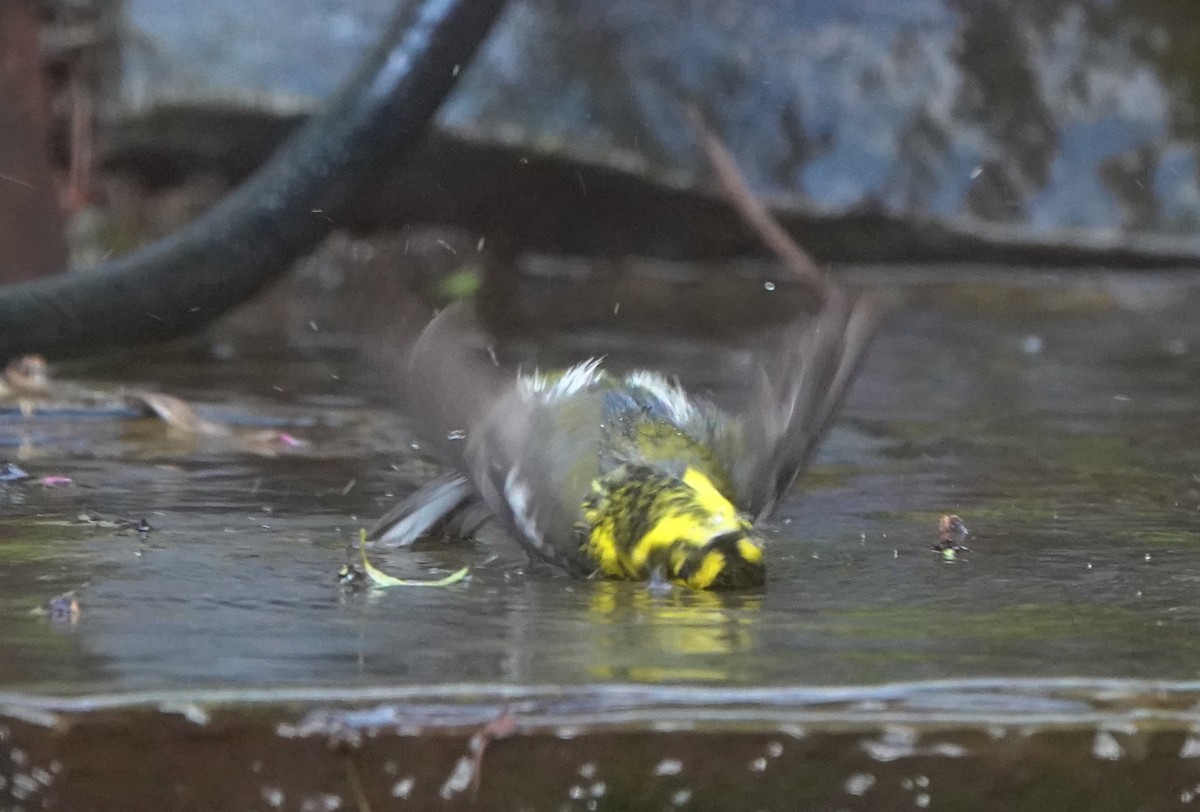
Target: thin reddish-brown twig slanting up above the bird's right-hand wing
752,210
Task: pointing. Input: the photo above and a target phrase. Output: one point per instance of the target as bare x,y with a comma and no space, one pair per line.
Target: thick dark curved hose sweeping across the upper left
184,281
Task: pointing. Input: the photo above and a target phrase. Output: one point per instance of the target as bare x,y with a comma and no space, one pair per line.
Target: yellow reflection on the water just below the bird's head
681,636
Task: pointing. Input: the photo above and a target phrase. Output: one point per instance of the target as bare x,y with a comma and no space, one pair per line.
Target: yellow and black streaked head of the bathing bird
640,520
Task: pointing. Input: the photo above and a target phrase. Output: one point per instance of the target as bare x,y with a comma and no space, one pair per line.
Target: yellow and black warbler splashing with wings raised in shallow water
627,477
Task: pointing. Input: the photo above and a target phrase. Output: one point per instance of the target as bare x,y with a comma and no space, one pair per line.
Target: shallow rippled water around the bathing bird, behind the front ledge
1060,423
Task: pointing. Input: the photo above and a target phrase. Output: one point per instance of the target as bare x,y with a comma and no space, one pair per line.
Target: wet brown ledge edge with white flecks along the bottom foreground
965,744
